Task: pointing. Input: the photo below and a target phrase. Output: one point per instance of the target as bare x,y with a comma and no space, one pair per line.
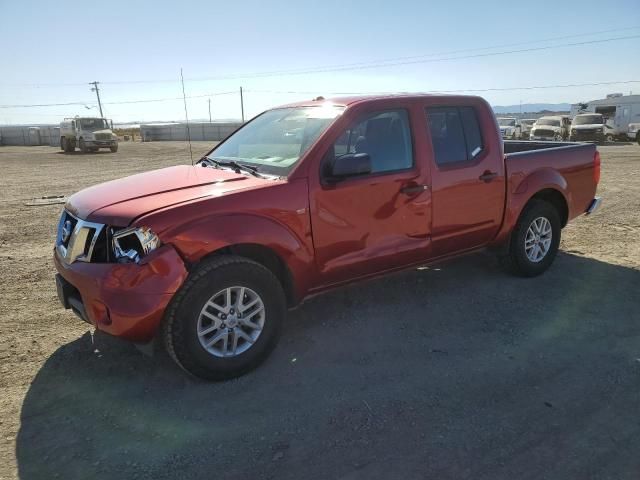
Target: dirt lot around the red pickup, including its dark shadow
457,371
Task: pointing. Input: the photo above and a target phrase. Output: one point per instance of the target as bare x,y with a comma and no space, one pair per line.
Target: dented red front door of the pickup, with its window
377,221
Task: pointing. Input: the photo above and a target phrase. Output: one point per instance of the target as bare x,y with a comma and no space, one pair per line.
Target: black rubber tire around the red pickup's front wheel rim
179,330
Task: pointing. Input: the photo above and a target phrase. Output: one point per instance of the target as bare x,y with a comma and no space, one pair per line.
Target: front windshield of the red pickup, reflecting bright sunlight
274,141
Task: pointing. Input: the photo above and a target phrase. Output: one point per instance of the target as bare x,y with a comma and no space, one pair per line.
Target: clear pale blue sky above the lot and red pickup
283,51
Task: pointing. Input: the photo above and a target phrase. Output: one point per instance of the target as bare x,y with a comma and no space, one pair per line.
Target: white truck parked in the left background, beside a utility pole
88,133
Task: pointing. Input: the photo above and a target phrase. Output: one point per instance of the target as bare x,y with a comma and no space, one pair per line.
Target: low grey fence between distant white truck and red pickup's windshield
178,131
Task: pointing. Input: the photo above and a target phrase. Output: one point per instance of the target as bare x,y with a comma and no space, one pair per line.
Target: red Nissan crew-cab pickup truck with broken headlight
304,198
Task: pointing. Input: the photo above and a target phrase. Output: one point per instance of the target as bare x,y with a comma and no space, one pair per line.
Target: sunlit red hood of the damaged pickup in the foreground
119,202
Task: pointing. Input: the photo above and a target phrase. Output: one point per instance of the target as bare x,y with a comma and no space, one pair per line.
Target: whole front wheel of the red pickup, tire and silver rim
226,318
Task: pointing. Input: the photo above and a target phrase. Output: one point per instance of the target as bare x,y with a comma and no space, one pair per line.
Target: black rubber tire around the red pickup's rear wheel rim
515,259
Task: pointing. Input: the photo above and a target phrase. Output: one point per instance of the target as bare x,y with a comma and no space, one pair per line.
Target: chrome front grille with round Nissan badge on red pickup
77,239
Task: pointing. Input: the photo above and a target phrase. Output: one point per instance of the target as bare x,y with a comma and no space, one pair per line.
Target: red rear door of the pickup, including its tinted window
468,179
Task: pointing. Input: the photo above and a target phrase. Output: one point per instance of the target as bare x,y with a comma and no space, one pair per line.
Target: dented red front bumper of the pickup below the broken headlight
126,300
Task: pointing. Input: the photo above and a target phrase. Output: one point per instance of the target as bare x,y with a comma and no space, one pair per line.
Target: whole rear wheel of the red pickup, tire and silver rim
534,241
